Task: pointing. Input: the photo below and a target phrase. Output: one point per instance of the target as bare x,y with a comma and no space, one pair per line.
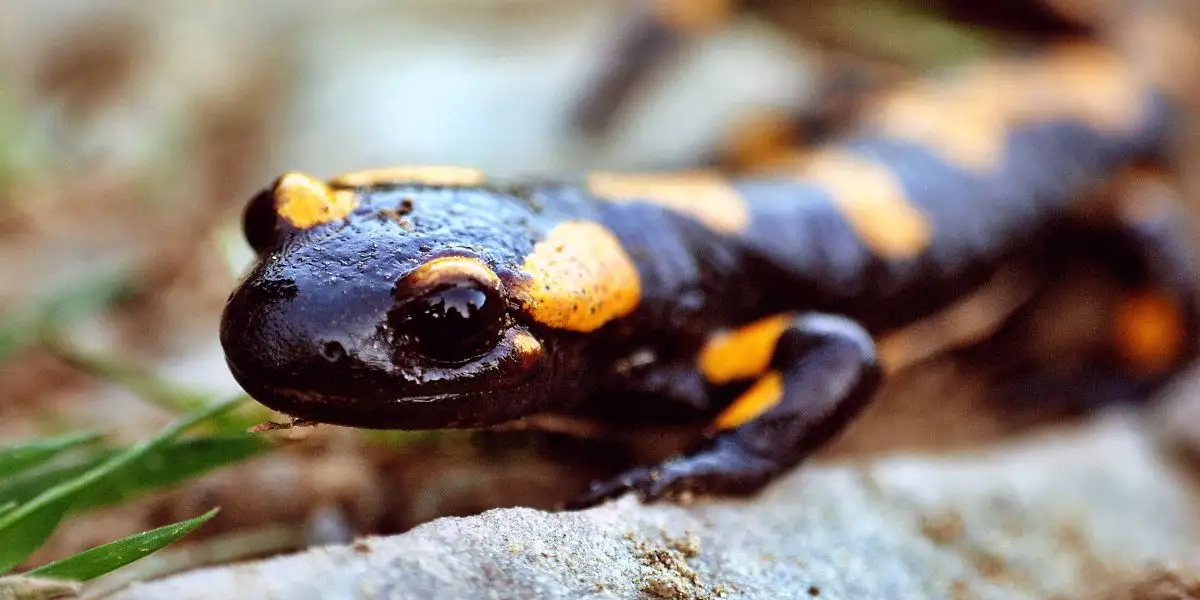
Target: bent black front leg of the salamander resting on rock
821,374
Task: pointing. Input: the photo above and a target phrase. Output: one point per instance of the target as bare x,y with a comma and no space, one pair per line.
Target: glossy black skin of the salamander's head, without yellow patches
319,327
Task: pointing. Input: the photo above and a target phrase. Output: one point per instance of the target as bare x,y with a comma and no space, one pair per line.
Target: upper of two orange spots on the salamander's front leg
743,353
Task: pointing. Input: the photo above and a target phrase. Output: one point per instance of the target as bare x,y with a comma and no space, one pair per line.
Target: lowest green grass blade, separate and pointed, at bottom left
101,560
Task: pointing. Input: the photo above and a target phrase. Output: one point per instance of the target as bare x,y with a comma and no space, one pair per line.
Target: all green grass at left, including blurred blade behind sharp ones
46,481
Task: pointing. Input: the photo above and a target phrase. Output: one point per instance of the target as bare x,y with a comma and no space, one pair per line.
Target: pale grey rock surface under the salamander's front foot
1055,517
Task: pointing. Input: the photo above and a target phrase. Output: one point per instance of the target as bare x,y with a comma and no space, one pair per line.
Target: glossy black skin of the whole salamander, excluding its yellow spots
328,327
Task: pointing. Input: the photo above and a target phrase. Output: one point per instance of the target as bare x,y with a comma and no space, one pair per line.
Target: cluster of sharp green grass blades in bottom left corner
46,481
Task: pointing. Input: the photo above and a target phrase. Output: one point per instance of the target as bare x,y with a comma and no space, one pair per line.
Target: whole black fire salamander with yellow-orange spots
428,298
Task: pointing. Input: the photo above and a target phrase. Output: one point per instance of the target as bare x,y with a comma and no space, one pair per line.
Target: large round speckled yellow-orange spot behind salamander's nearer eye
580,279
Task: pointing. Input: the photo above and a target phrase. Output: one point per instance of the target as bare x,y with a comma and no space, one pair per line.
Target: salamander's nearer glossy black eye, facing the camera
457,322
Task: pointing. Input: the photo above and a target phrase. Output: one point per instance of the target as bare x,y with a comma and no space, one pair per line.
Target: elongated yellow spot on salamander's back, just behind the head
705,196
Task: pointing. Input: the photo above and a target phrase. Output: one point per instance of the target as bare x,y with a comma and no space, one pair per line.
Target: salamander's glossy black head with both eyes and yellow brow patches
394,305
